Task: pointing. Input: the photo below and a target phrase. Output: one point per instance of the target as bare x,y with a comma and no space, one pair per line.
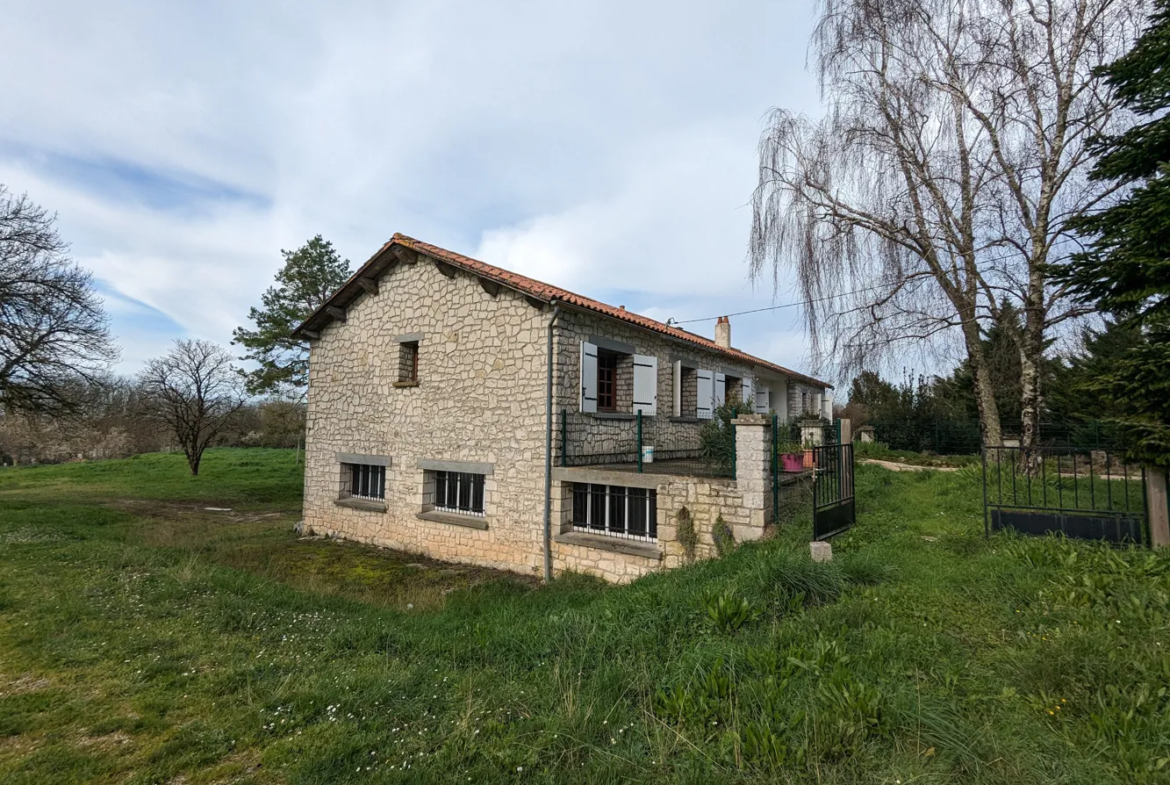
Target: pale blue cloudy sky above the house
608,148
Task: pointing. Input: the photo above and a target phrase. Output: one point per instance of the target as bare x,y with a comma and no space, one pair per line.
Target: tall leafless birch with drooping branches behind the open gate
941,183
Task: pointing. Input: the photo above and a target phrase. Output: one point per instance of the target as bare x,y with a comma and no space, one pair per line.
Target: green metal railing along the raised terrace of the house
658,445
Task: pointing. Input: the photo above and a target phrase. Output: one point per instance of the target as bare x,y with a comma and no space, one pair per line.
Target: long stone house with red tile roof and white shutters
473,415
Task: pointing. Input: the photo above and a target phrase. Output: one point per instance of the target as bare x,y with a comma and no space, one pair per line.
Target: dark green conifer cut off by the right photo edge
1126,271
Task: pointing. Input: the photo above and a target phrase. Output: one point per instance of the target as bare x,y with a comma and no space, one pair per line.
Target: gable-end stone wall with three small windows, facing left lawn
480,400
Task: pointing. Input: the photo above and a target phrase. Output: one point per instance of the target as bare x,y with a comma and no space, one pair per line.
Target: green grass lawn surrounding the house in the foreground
148,639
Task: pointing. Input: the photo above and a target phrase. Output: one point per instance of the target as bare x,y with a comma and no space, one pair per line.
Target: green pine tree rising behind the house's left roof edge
309,277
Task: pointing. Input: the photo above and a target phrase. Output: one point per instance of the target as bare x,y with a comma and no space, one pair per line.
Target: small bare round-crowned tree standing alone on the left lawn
196,392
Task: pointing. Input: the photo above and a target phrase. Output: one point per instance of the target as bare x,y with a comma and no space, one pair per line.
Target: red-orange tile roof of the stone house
543,292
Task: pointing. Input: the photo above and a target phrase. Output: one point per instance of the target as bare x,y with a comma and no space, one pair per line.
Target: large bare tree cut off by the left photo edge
54,338
